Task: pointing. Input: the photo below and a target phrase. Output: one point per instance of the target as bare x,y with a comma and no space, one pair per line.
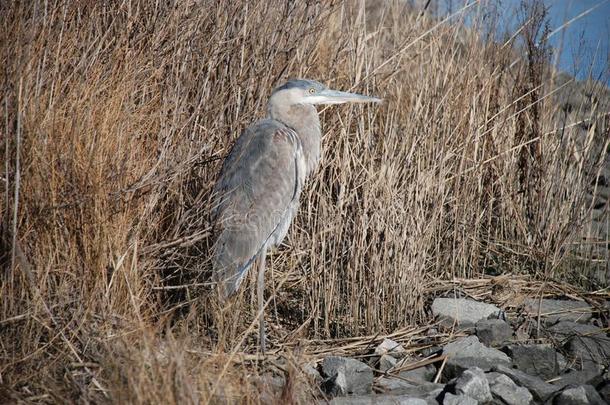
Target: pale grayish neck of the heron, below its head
306,123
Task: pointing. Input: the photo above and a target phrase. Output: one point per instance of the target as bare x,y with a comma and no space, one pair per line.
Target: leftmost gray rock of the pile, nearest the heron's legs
343,376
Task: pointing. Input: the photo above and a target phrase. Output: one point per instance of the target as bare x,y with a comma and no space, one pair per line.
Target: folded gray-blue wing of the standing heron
257,183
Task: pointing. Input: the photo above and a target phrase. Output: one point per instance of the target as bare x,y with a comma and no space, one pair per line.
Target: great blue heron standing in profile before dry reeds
257,191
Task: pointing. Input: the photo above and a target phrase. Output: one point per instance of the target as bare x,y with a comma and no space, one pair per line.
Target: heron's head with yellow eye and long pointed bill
304,91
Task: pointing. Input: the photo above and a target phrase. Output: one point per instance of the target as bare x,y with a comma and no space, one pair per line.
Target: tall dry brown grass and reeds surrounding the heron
115,118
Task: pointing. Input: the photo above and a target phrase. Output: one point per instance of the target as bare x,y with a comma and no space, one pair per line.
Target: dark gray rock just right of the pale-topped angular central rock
540,360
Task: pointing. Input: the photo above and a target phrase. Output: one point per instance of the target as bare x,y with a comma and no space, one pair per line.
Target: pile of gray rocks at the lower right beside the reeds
498,363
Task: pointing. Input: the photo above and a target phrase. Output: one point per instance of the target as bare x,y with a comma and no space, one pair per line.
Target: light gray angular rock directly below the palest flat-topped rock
468,352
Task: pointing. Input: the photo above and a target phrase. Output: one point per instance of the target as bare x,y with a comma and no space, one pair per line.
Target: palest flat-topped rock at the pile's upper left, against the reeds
462,312
